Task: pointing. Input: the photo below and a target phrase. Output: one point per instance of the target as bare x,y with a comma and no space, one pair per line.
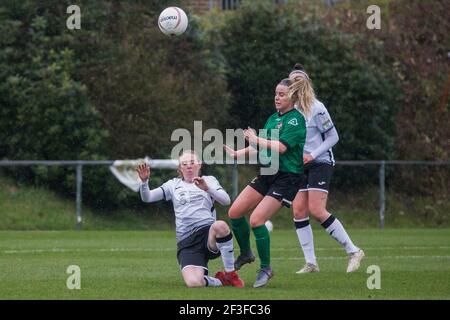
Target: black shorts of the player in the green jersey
283,186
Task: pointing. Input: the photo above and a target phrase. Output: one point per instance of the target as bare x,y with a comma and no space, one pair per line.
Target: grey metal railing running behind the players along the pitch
169,164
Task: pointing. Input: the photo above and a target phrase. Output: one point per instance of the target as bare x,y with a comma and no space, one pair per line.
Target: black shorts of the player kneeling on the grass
194,250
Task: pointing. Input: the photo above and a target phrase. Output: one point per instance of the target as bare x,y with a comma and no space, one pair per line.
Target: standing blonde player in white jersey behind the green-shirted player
321,136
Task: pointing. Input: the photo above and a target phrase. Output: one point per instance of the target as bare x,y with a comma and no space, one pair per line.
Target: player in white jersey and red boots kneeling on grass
199,236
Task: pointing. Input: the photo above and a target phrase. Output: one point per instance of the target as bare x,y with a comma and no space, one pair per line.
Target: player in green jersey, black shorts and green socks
283,140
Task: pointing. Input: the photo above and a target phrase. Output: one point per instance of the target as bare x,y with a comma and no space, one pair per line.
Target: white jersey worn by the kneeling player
194,208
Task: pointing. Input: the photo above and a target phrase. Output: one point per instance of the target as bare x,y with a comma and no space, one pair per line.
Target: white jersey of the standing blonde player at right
317,124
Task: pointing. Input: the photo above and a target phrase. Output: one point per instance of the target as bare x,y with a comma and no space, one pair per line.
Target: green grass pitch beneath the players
414,263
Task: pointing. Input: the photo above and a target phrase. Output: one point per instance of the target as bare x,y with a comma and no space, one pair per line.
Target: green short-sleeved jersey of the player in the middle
292,134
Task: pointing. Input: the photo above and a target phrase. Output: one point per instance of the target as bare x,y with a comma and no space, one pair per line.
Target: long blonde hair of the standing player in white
301,92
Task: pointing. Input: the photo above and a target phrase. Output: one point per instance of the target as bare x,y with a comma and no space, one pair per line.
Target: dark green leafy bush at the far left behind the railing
45,112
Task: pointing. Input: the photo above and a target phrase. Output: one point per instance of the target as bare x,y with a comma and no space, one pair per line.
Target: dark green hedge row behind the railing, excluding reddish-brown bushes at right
117,88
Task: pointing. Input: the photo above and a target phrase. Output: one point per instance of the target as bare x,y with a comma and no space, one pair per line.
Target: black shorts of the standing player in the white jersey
317,177
